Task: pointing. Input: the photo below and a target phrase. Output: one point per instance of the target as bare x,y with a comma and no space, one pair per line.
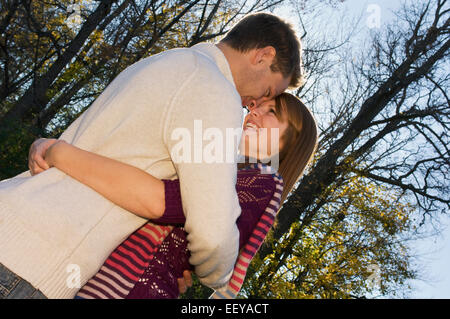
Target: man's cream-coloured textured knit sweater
55,232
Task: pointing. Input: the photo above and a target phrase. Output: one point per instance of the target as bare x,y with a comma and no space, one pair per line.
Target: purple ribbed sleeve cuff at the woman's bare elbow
173,214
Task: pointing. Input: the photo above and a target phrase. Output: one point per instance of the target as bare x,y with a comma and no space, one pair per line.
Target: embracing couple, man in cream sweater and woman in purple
109,199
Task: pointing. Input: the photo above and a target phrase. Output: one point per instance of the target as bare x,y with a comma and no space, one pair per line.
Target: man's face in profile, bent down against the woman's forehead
259,83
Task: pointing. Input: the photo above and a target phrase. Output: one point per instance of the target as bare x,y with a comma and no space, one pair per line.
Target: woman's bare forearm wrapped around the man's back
127,186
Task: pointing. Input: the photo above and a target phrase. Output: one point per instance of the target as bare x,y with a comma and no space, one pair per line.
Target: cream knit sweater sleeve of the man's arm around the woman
207,104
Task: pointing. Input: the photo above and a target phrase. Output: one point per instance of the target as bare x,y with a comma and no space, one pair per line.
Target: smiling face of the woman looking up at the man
263,131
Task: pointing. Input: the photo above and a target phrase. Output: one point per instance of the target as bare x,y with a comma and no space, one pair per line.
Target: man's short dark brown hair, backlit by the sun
260,30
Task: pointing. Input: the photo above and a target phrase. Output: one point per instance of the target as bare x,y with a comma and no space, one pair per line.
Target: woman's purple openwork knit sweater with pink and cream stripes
141,269
